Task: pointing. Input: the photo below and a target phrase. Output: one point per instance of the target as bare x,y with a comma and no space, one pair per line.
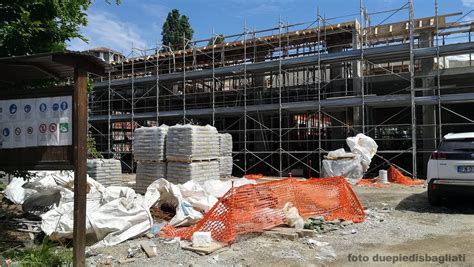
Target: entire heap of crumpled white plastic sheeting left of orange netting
115,214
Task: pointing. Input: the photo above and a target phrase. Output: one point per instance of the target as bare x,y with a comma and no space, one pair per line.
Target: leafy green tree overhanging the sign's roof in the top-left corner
33,26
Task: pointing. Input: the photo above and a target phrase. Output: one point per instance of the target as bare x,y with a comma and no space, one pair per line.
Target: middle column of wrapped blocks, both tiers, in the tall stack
191,153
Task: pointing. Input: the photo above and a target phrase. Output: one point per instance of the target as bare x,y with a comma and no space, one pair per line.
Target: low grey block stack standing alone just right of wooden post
105,171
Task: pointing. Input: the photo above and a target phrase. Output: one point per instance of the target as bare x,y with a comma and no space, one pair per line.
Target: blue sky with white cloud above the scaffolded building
137,23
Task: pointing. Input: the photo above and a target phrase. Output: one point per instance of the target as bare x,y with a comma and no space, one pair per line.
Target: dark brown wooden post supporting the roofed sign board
80,161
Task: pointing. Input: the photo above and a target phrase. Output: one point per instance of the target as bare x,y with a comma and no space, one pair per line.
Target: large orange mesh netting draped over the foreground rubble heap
256,207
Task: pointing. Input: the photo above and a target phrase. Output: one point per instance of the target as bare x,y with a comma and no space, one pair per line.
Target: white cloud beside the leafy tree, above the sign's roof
104,29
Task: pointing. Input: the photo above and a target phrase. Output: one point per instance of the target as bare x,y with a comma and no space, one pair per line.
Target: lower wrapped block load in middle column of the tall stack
199,171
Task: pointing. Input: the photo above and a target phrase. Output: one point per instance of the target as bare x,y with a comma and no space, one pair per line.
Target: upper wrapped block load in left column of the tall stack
149,143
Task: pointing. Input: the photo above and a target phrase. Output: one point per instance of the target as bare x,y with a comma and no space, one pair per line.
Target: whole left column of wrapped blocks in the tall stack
149,144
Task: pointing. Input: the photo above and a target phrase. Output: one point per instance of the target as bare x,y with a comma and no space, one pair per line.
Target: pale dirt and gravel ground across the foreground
399,223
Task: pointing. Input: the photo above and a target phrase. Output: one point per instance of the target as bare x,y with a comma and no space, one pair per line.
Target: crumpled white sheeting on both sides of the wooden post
113,216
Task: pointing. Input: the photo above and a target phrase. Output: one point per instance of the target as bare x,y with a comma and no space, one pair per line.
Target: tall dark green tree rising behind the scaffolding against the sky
174,29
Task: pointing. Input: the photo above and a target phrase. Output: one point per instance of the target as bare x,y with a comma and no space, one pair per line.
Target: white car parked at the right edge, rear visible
451,168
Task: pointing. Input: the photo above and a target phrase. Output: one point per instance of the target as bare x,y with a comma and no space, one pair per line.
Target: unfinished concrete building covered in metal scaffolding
289,94
